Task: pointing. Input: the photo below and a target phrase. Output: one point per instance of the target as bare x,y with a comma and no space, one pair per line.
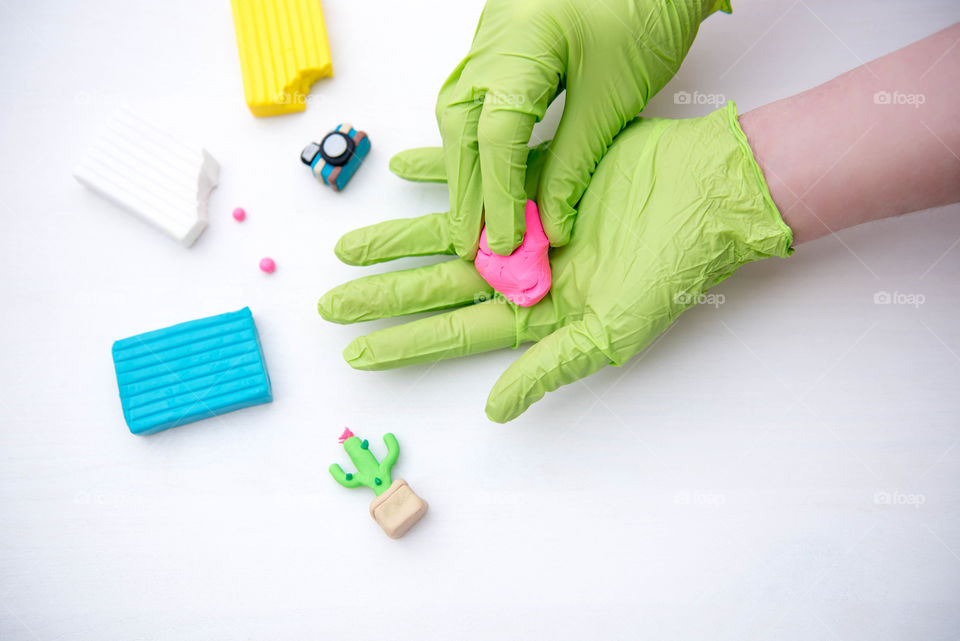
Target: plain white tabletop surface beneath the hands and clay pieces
783,467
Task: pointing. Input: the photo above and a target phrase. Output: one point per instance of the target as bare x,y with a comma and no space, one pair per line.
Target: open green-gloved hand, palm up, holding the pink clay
675,207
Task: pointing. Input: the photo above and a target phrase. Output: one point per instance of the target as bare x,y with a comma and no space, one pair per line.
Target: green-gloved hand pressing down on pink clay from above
611,56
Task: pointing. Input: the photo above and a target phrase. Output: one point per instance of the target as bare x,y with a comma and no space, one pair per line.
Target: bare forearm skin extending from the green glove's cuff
878,141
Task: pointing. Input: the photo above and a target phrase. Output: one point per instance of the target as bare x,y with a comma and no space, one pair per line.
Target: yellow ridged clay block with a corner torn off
283,50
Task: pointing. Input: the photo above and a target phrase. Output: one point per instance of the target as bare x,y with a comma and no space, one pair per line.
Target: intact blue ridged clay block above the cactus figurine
191,371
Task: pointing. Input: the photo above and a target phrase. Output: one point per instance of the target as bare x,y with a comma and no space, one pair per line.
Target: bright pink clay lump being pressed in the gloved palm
523,276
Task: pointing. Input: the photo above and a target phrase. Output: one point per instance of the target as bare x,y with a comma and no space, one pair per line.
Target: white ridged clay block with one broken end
149,173
